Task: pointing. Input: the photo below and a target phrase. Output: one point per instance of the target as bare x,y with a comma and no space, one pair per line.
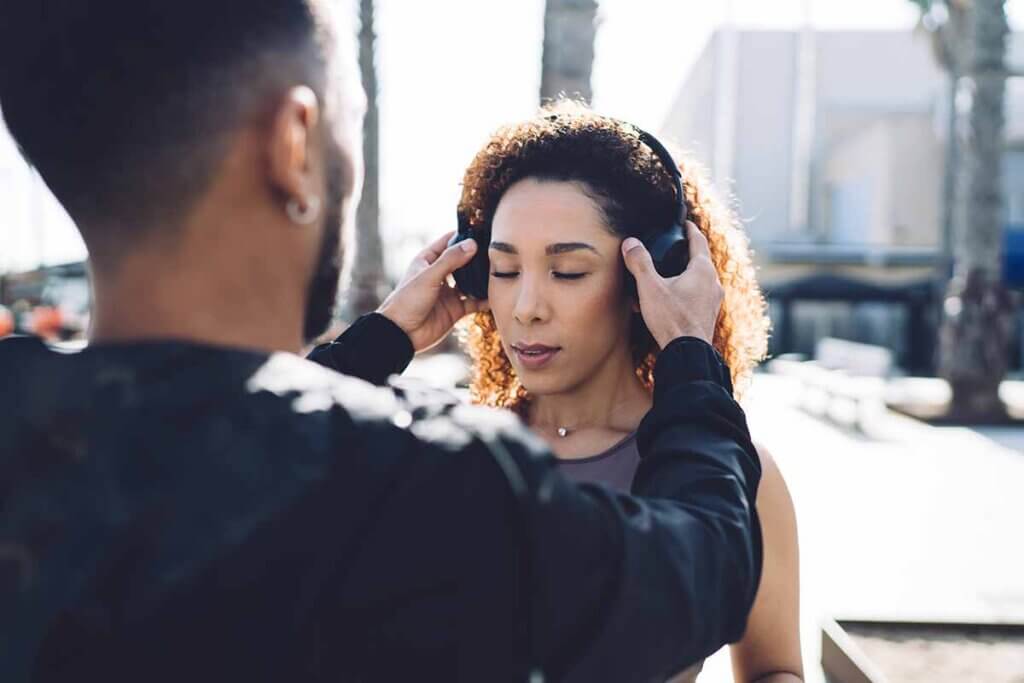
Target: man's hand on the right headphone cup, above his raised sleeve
687,306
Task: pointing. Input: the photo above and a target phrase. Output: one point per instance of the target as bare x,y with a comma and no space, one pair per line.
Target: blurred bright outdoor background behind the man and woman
875,151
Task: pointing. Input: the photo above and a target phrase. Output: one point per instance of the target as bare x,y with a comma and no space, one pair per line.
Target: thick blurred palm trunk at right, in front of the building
969,37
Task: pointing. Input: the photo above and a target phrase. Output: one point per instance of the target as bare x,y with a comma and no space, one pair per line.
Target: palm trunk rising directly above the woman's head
568,60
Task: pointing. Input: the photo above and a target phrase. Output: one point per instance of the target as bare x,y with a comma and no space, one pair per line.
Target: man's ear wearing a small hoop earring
291,147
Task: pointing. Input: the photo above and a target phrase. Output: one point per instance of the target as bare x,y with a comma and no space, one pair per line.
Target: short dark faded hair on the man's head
123,106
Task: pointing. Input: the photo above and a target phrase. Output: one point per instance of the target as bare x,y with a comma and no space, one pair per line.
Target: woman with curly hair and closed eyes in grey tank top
551,199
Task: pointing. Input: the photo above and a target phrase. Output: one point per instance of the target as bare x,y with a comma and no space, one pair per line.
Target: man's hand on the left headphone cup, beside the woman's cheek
424,306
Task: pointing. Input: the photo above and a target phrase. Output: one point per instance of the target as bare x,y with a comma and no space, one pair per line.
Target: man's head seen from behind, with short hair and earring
223,131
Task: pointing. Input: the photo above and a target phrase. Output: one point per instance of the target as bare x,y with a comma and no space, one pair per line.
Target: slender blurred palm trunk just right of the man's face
368,280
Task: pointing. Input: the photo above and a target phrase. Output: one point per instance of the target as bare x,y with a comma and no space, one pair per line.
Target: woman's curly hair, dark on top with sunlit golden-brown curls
567,141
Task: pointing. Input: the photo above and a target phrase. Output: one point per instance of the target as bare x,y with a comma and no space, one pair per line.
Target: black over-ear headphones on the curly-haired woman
669,247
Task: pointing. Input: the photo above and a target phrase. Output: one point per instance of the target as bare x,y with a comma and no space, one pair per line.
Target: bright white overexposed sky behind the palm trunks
452,72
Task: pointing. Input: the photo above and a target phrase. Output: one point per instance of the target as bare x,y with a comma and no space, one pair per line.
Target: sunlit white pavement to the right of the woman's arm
913,522
